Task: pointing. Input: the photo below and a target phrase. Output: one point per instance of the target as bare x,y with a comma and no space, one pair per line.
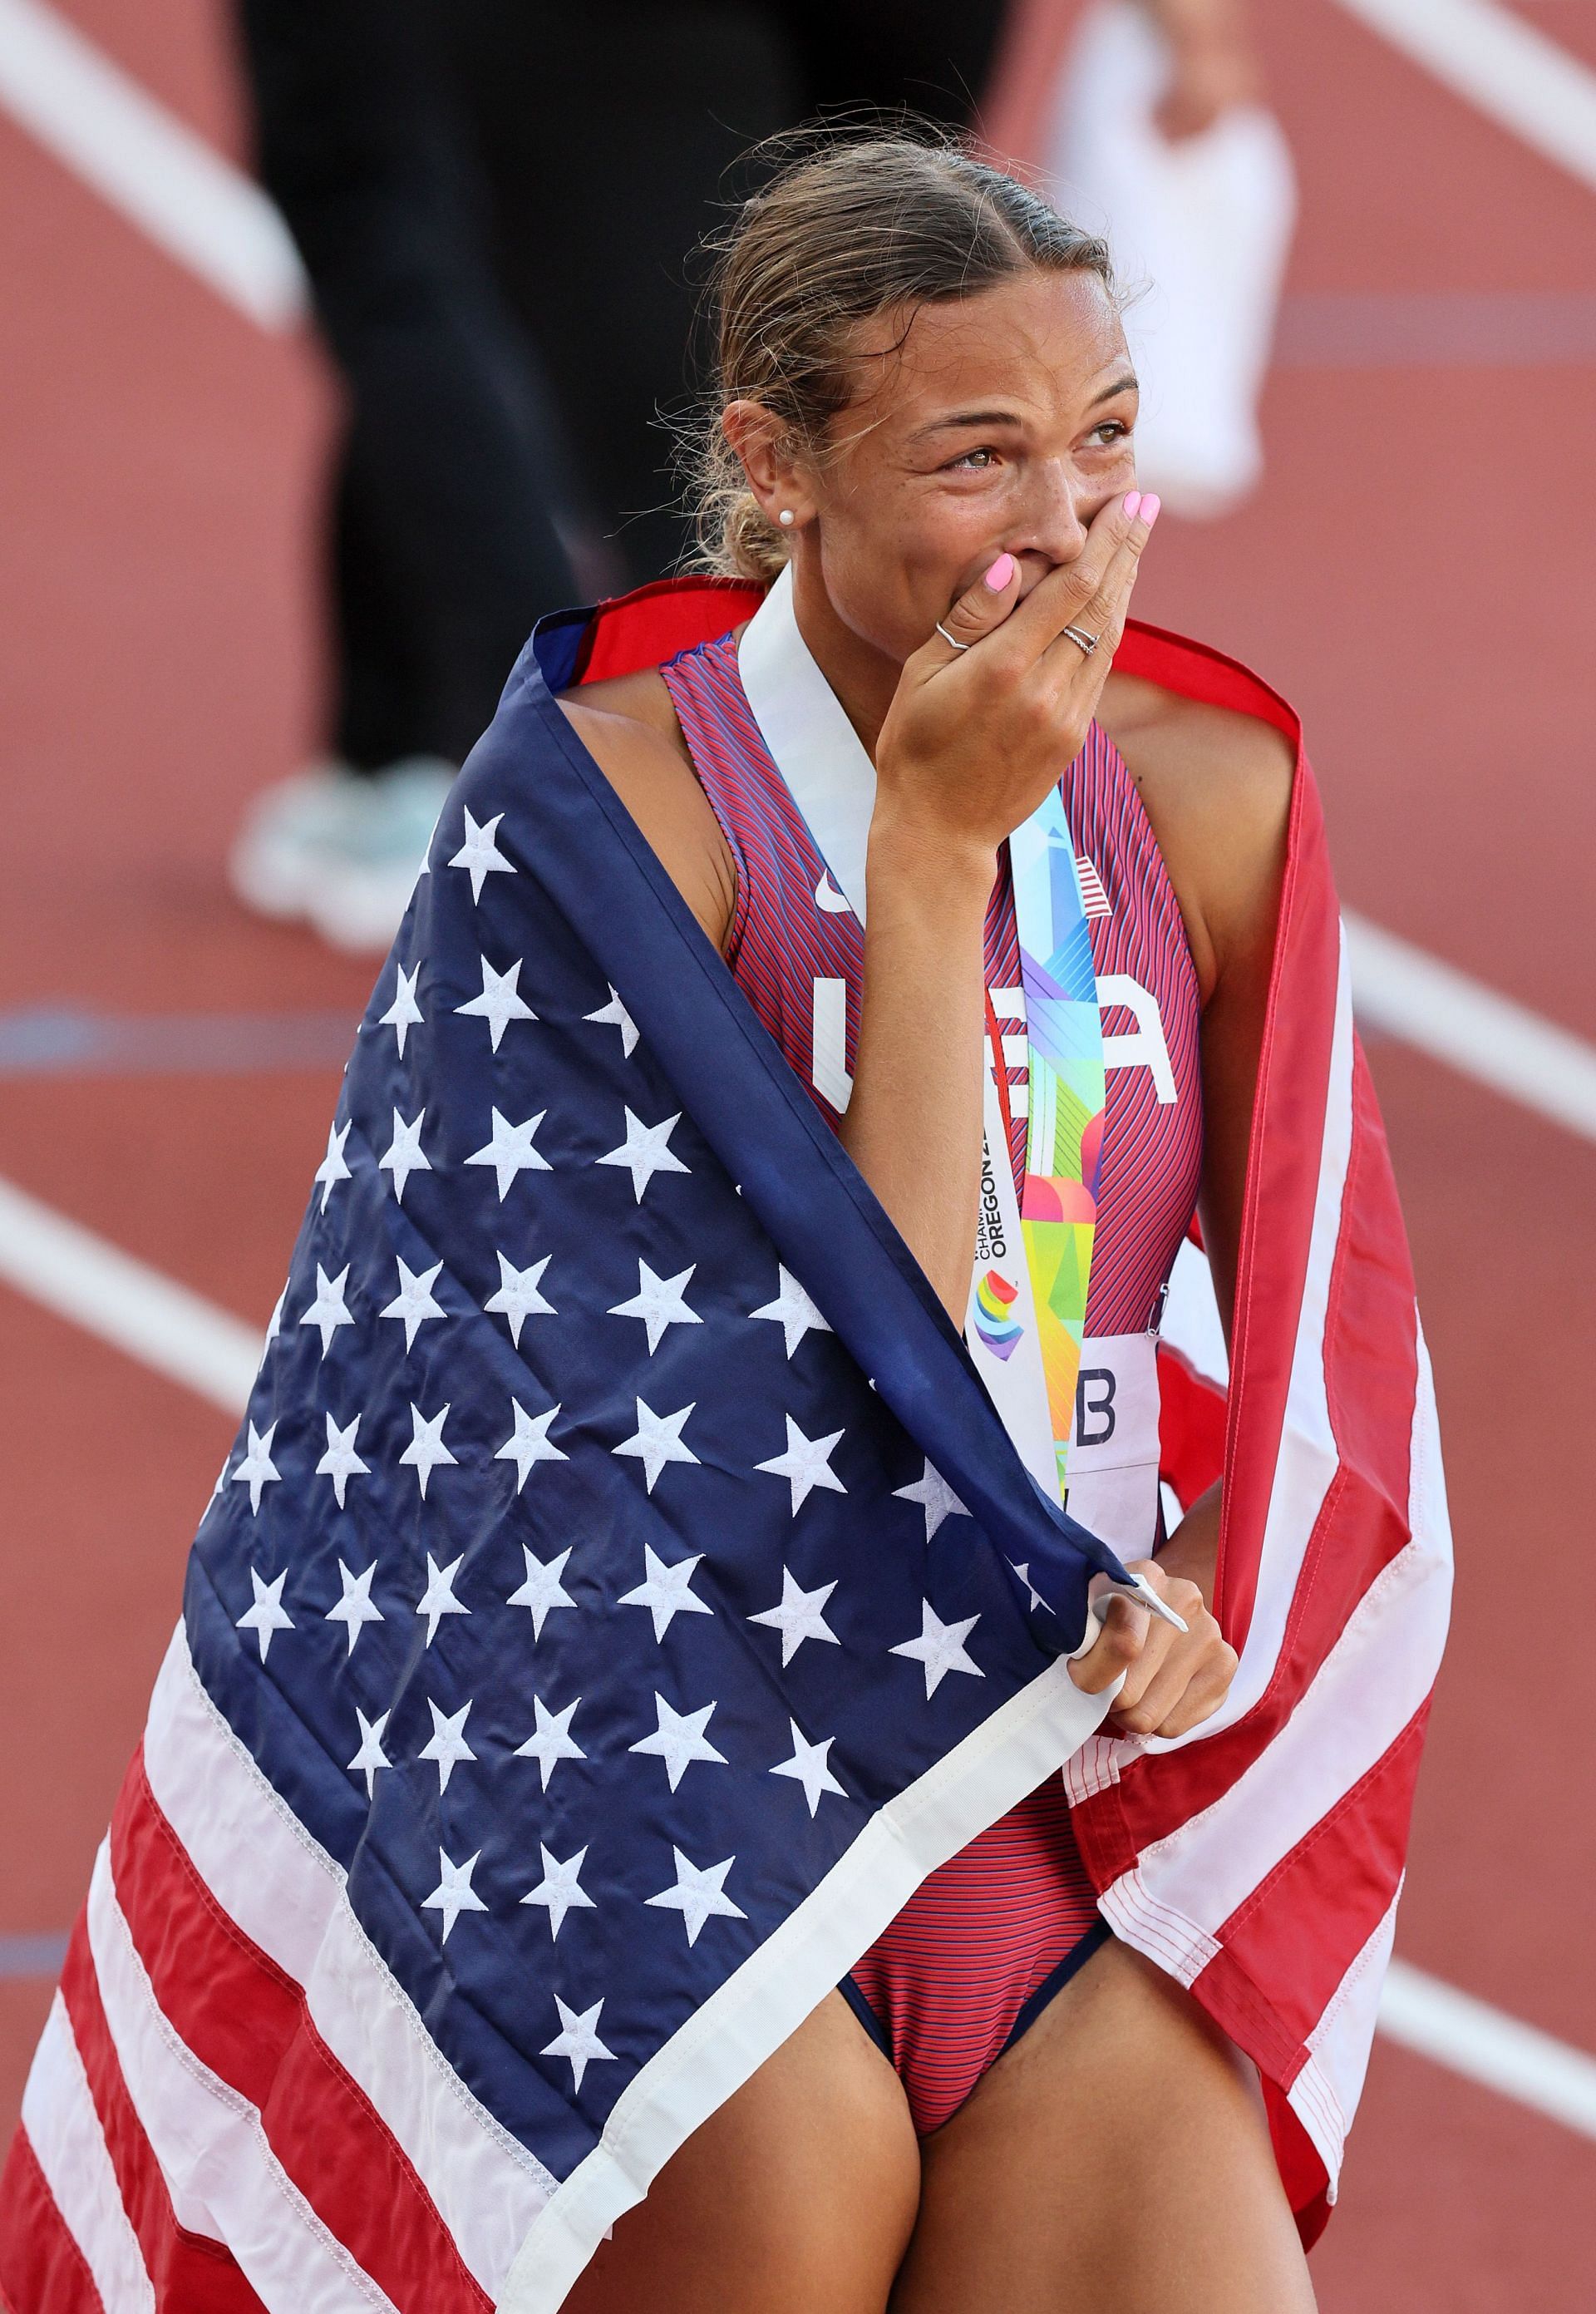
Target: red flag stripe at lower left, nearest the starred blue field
249,2021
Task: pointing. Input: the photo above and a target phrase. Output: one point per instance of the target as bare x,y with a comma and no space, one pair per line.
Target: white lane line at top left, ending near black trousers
147,163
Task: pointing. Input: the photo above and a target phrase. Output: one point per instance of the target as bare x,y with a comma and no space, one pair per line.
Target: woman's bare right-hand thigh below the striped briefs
1114,2160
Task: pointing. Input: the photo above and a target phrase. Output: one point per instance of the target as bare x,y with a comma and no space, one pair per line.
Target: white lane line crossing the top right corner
1505,68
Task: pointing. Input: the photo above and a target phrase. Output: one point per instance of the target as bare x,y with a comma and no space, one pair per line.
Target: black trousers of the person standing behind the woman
498,202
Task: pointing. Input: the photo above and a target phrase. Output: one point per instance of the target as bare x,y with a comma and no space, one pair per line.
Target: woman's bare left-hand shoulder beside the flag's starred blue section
630,730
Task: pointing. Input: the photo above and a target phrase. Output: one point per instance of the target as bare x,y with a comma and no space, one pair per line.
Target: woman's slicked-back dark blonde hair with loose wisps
841,235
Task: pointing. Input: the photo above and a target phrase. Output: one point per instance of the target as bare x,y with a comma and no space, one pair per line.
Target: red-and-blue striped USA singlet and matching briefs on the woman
996,1931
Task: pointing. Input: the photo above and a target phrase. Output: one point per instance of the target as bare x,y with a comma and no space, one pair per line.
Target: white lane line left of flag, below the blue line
103,1290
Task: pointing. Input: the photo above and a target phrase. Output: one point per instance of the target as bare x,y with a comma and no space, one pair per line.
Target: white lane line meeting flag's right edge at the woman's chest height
1465,1024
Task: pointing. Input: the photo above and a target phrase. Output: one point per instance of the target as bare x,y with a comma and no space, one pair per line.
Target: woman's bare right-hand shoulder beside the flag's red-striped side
1218,790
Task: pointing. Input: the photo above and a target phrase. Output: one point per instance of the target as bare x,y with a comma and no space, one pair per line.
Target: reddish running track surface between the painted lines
1417,575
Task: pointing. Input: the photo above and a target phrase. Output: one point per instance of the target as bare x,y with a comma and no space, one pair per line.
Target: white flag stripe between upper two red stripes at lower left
212,2144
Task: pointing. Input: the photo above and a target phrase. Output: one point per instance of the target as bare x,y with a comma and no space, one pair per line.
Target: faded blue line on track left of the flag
71,1040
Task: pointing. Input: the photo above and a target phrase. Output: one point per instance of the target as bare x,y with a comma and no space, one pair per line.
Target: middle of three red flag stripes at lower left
191,2274
